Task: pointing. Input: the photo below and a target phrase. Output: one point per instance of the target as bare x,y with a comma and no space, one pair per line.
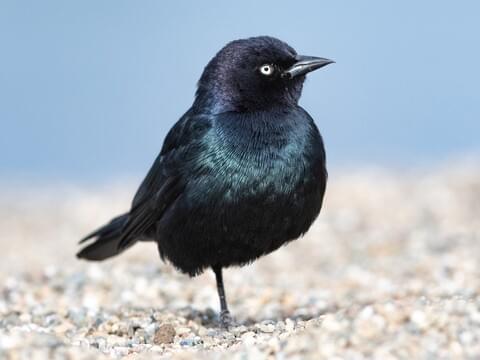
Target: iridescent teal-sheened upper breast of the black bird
260,157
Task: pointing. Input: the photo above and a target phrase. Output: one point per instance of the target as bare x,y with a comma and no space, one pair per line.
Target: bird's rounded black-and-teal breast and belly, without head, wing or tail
246,189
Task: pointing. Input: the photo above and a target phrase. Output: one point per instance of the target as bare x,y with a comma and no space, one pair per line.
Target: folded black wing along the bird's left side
166,178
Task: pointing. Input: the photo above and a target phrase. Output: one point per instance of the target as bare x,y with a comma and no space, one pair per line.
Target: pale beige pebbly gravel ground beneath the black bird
390,270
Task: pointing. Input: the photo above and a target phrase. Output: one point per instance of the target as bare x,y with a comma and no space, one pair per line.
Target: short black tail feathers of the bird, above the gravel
107,240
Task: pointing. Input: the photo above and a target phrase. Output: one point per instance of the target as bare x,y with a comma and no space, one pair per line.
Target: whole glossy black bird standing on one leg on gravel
240,174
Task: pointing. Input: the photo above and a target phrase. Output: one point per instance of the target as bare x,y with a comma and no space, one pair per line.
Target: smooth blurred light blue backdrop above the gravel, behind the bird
88,89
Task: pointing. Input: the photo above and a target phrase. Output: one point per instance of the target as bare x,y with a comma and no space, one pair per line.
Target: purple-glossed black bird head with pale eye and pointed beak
254,74
